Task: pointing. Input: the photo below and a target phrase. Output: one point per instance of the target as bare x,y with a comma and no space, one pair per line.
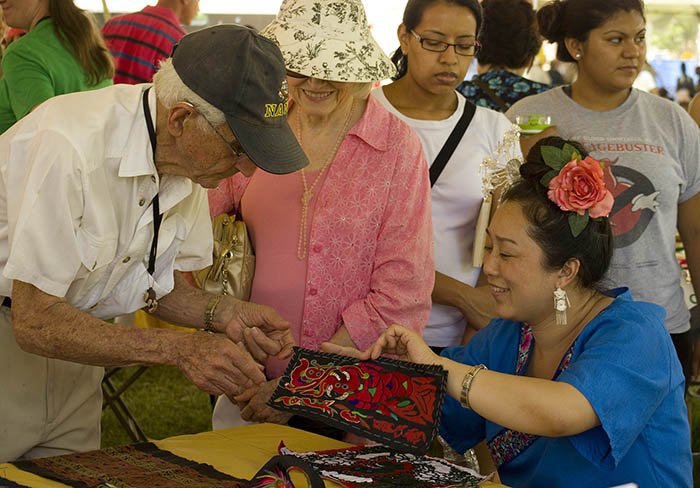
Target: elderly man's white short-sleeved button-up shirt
76,183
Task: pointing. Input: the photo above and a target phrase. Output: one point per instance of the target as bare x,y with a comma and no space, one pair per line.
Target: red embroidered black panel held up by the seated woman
393,402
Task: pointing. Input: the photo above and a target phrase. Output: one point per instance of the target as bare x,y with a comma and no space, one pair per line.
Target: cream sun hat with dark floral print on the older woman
329,40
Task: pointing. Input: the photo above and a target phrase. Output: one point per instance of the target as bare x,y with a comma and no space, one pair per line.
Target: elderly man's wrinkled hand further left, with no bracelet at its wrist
216,365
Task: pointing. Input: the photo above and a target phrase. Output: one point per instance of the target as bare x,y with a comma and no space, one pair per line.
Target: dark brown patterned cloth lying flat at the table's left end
136,466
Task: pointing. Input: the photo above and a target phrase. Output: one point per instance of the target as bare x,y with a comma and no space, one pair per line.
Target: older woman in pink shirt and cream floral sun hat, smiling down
343,247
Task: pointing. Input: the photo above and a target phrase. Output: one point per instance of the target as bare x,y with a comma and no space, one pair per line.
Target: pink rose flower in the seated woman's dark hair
580,186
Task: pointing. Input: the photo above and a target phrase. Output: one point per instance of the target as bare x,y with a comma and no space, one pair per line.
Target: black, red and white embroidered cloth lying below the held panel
380,467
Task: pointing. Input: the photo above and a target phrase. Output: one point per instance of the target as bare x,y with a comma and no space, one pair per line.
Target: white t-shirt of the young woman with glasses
456,198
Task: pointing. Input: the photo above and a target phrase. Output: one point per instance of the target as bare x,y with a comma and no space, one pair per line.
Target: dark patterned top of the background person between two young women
508,86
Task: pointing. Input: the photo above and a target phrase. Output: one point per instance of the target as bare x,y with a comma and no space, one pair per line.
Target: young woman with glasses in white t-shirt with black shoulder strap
438,42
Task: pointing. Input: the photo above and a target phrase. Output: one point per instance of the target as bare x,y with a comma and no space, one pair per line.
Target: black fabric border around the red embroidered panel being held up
402,366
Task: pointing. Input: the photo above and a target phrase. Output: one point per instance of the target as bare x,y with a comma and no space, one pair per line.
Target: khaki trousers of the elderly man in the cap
47,406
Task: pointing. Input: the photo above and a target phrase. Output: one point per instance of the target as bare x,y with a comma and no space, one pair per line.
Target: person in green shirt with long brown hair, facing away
62,52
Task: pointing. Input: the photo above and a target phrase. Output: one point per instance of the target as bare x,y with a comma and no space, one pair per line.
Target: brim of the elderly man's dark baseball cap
274,149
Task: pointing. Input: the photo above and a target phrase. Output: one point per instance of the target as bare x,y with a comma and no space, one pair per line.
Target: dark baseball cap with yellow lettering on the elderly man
242,74
